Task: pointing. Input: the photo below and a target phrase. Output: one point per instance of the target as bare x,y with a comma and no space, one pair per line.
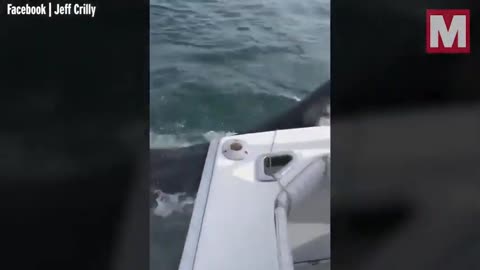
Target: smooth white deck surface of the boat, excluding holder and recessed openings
233,225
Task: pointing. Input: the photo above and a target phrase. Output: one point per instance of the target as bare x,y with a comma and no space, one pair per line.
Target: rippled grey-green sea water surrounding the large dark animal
223,65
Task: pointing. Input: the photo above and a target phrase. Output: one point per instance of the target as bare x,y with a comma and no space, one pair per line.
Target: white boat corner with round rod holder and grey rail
263,203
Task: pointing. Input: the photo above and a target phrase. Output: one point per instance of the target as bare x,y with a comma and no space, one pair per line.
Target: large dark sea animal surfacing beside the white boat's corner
179,170
